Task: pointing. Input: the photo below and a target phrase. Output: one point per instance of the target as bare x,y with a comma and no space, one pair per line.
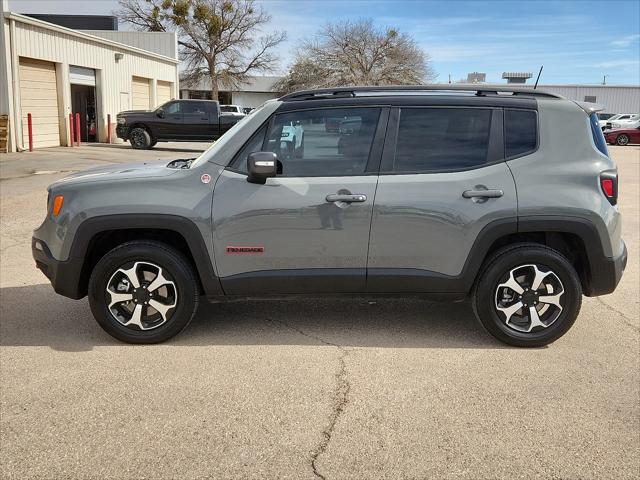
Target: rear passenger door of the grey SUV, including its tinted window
443,179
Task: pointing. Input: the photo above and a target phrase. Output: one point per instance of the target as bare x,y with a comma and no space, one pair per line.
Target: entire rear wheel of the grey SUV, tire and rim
527,295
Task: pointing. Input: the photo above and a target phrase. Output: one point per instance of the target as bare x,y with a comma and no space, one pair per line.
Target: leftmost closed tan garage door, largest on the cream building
39,97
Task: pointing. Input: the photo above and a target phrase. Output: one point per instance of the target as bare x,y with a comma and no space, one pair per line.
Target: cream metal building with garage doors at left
50,71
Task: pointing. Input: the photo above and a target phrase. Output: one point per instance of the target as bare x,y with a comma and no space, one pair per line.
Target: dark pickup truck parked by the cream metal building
174,121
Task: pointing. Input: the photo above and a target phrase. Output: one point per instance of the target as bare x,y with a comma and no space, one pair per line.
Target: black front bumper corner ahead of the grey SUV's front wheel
64,276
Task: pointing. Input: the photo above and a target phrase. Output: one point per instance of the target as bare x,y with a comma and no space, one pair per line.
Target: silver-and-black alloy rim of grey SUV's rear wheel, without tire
530,299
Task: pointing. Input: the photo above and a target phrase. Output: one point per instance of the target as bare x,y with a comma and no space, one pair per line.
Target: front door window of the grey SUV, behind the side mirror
323,142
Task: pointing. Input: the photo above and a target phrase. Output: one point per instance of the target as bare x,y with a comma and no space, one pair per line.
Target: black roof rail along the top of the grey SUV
477,89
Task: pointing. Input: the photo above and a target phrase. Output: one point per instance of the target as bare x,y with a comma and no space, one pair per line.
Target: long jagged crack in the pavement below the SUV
340,395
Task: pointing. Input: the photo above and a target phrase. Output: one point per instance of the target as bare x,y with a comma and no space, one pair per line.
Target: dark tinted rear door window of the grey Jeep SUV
442,139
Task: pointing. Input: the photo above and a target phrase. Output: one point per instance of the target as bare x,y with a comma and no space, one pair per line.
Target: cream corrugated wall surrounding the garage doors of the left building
113,76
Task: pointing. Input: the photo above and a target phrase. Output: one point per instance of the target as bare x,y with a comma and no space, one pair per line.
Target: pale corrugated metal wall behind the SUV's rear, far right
615,99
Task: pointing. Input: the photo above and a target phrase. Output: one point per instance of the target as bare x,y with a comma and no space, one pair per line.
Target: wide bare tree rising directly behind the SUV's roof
358,53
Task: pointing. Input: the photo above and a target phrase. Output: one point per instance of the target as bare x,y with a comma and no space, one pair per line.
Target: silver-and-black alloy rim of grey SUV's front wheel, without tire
141,295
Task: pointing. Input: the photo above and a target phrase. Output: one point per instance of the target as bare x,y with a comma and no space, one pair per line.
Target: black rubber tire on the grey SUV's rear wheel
497,270
